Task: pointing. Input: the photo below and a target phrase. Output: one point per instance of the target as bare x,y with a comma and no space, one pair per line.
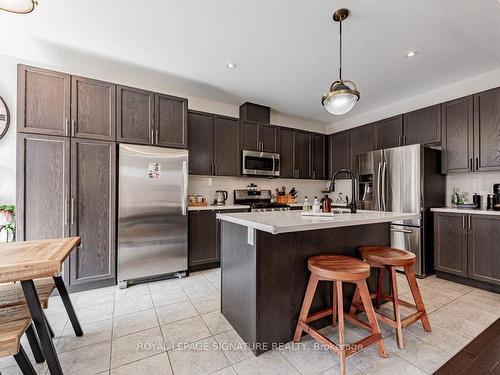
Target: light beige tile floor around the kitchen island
174,327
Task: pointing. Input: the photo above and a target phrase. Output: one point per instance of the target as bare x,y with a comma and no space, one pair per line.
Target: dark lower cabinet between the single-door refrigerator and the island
203,238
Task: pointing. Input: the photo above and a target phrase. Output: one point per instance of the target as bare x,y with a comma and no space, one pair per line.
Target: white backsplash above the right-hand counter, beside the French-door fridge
477,182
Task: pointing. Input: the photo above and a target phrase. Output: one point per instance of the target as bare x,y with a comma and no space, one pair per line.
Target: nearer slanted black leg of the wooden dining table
48,349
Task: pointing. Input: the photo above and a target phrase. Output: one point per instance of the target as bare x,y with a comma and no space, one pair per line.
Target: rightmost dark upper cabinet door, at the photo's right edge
487,130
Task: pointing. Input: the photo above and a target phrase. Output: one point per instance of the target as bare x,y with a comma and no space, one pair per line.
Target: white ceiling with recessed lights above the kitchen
286,51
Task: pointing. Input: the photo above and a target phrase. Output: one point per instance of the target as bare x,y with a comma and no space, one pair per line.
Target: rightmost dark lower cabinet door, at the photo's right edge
483,248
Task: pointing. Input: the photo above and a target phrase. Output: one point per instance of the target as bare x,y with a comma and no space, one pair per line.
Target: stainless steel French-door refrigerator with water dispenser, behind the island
405,179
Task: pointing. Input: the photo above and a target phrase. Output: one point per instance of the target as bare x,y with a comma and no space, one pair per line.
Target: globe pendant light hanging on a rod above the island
343,94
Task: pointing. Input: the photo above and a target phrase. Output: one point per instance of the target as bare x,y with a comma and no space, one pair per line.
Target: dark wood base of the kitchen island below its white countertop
263,284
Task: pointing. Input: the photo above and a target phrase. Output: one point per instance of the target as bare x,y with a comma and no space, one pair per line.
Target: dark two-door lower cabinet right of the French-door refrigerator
466,246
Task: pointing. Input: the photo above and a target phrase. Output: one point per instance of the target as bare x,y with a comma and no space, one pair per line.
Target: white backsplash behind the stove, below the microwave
207,186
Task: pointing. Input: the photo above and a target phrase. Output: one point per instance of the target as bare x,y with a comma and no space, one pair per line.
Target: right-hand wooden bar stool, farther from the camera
389,258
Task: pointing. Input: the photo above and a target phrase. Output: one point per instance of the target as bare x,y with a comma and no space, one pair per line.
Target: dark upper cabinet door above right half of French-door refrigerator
422,126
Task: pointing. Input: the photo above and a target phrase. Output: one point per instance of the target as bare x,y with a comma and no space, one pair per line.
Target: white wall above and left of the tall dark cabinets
114,72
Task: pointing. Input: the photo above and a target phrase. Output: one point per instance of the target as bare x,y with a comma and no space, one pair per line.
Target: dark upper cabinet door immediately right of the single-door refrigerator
201,143
